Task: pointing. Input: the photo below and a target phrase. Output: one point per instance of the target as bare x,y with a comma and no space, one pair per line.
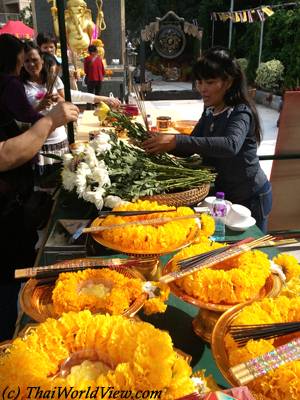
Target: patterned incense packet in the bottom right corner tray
252,369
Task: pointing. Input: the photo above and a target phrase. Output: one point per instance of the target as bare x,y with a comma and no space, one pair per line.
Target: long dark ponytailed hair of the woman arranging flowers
218,62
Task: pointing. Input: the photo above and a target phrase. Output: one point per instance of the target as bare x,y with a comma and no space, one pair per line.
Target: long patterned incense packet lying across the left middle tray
76,265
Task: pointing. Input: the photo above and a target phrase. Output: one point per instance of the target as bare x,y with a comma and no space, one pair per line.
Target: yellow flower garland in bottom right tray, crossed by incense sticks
284,382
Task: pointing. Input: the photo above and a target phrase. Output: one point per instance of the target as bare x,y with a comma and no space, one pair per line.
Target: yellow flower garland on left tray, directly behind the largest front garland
76,291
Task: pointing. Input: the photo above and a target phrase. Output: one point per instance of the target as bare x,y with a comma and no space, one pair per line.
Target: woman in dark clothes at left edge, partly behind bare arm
16,184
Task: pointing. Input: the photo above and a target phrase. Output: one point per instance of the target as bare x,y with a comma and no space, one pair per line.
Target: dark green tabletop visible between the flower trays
179,315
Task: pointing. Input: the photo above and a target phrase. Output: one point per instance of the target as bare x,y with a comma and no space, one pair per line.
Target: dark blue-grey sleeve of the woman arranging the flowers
221,146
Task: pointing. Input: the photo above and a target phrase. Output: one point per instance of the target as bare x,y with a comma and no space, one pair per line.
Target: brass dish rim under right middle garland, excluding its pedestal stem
272,288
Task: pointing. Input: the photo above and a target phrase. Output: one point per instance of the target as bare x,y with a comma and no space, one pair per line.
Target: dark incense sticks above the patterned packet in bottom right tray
243,333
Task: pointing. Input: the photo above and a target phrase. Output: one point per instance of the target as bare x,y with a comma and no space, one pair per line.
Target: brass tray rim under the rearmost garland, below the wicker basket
118,247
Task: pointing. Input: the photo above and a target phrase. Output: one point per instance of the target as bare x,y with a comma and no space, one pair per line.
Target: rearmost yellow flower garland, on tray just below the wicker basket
149,238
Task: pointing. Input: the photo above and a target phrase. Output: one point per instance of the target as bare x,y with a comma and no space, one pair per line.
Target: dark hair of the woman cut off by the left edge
10,48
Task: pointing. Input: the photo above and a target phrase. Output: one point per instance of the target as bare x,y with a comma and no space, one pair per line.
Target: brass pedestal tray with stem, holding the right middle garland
209,313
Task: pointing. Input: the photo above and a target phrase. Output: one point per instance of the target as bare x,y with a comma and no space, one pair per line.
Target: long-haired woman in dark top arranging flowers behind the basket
227,135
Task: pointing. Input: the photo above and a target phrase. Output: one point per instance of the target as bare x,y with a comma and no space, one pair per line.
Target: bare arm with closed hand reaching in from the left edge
20,149
